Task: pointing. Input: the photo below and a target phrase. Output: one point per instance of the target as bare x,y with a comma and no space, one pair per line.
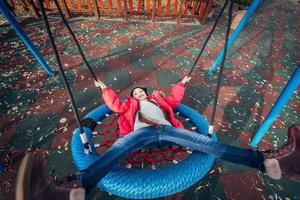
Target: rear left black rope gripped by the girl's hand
75,39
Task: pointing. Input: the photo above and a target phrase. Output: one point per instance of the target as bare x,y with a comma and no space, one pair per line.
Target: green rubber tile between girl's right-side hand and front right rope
199,95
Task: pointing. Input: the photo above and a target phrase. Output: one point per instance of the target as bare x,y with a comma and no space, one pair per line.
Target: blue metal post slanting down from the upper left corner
4,10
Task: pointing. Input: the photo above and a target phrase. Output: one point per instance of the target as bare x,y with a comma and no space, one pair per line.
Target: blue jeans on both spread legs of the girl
165,135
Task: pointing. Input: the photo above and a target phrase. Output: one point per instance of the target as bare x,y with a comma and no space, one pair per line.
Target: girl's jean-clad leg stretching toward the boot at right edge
205,144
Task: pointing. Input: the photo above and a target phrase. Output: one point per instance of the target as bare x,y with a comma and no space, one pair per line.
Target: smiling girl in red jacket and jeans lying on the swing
149,119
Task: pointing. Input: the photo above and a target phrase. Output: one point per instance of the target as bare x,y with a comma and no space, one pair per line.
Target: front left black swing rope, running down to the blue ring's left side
62,73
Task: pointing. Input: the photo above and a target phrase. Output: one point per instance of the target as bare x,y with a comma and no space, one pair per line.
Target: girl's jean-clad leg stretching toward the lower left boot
121,148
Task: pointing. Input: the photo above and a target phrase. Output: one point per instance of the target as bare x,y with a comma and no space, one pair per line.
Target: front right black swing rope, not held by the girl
212,119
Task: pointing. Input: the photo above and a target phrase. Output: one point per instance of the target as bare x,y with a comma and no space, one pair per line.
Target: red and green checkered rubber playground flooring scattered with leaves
35,111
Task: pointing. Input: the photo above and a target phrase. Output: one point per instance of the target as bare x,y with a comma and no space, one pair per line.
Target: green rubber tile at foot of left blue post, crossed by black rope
56,82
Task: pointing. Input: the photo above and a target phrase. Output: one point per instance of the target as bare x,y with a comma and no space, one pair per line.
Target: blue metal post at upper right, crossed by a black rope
236,33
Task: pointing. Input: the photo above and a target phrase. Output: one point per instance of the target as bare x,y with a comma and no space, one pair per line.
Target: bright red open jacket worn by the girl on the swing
127,109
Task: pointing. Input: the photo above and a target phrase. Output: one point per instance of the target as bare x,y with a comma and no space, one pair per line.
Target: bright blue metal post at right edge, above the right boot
287,92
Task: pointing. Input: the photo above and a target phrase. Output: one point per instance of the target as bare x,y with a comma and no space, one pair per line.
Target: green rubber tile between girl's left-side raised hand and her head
117,79
